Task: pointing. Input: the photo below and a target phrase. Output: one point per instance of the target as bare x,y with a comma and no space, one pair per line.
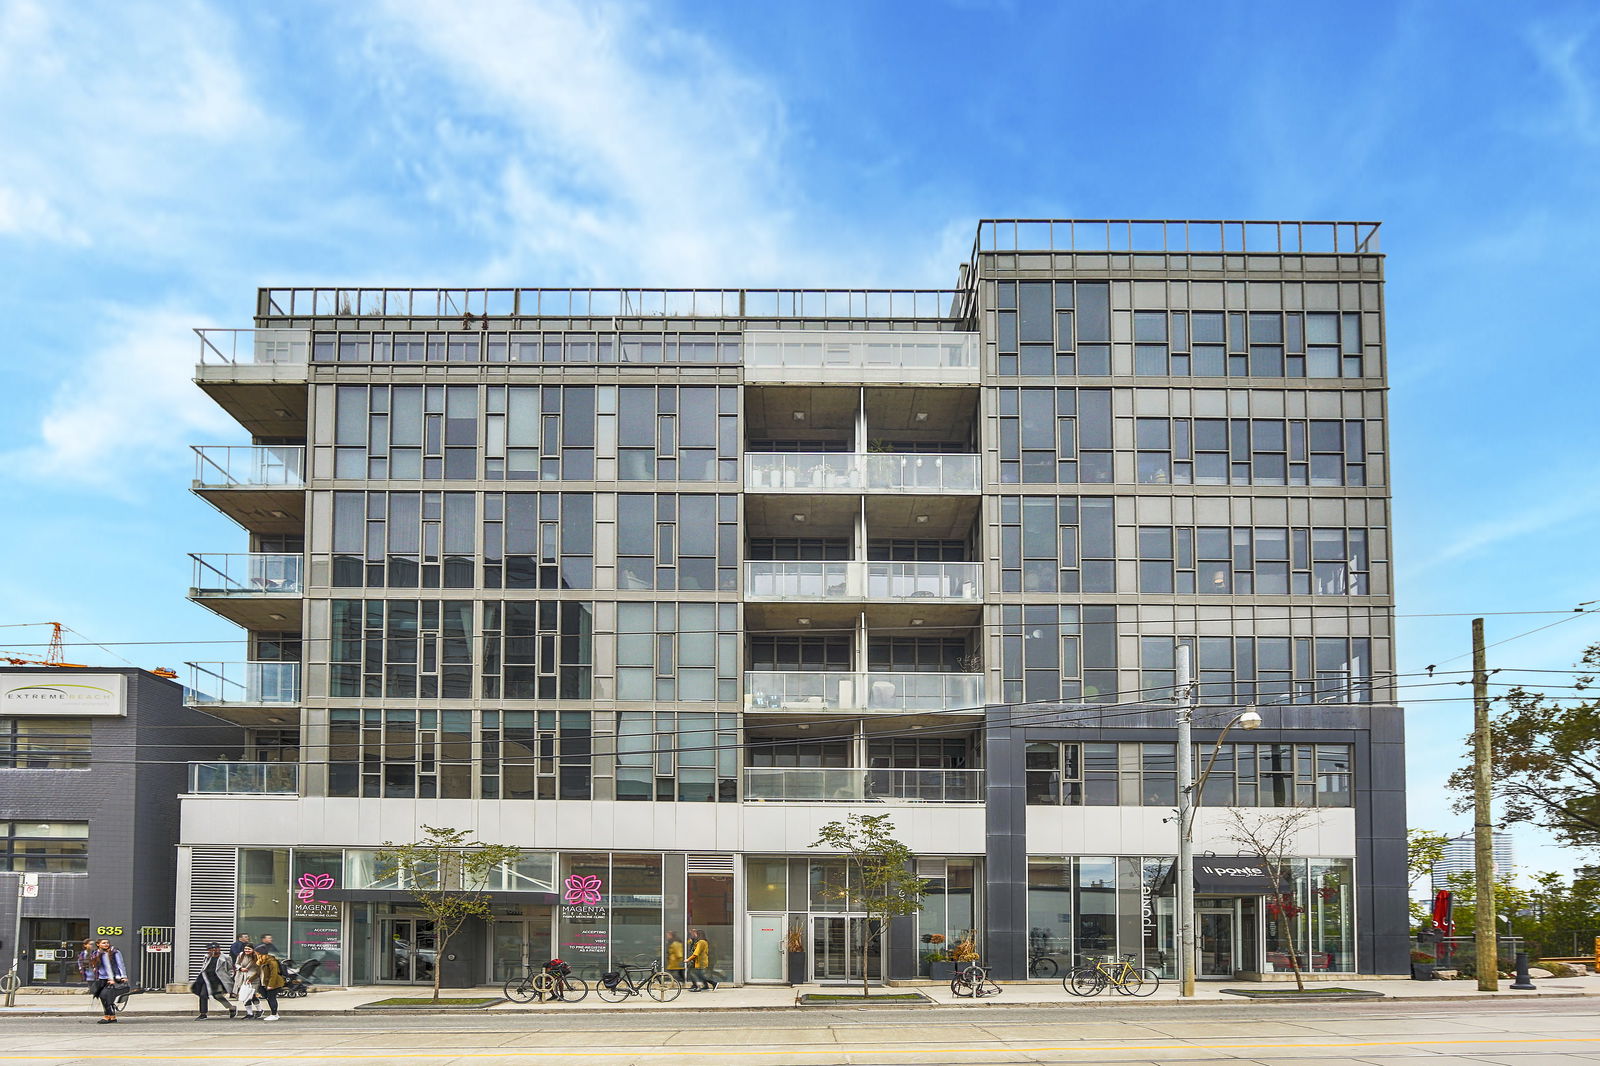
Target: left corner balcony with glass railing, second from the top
262,487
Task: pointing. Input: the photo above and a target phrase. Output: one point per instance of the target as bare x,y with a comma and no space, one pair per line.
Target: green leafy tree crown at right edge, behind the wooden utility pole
1546,761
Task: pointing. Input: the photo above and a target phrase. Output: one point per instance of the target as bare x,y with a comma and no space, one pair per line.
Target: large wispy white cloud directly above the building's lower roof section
606,142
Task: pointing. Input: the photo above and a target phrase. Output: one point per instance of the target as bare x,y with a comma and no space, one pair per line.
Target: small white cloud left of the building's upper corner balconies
129,406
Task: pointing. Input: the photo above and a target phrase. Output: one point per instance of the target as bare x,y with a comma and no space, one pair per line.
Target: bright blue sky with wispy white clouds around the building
164,159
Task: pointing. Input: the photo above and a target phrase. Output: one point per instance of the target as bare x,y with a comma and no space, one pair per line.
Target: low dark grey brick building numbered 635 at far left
92,764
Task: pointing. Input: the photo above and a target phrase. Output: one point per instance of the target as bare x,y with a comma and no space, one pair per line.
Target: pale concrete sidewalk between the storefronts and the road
340,1001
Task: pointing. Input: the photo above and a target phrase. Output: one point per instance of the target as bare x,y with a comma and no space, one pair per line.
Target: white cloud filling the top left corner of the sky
121,119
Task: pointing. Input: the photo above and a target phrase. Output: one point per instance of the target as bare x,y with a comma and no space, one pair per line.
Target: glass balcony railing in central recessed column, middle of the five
850,582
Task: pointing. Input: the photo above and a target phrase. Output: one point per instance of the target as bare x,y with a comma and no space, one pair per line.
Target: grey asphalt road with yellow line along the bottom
1476,1033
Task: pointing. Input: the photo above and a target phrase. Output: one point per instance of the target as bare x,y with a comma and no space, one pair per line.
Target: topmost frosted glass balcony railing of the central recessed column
860,358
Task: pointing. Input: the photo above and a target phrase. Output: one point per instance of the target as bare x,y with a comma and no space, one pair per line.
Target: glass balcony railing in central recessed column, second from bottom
846,691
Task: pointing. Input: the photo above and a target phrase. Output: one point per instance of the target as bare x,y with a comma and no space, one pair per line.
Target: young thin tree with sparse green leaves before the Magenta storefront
447,876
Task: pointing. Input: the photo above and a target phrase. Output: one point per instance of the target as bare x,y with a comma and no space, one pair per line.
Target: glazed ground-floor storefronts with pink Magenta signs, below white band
766,918
